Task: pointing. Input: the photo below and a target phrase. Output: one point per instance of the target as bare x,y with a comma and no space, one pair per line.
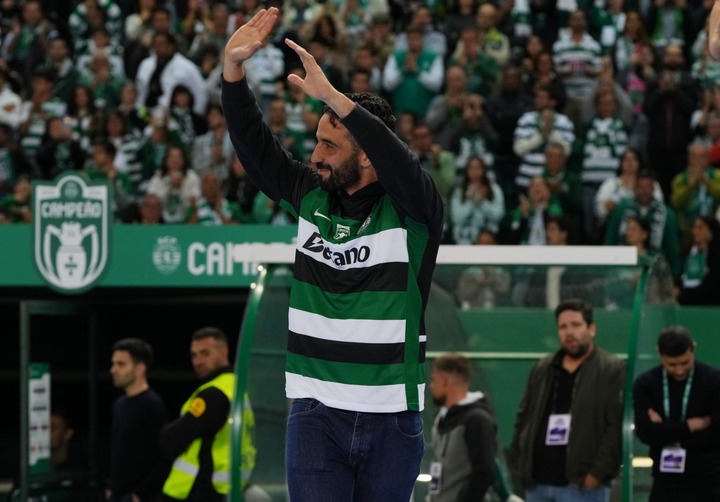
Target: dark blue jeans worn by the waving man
346,456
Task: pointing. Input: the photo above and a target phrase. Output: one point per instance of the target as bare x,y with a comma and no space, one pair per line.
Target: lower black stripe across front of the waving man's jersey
346,352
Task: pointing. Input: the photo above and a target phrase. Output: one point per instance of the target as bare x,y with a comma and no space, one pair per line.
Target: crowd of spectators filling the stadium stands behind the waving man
540,121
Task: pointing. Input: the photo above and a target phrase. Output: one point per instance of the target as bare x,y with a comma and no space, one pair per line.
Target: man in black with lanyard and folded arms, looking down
677,414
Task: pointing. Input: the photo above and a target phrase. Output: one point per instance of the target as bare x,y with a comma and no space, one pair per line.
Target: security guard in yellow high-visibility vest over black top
199,440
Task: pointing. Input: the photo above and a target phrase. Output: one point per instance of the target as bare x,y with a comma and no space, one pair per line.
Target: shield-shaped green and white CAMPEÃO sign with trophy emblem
71,220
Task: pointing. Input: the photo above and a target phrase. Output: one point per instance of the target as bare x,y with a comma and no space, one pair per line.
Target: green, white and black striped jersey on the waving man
354,308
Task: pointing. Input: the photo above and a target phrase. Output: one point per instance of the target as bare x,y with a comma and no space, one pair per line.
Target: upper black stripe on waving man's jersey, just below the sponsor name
383,277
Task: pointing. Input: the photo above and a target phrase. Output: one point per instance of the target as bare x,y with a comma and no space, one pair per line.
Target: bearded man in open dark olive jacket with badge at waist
567,439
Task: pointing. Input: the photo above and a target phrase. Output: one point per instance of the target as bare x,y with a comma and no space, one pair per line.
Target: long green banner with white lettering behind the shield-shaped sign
185,256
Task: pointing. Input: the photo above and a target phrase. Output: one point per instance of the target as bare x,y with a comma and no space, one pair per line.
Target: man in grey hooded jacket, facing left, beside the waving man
463,437
